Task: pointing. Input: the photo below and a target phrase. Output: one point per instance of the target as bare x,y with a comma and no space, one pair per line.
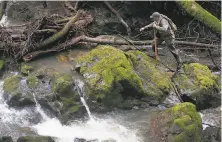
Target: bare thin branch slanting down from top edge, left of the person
119,17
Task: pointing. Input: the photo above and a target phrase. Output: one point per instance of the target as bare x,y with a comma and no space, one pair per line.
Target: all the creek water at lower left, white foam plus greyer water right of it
111,126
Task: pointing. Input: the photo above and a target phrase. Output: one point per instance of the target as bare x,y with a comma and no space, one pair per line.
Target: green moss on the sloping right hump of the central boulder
156,80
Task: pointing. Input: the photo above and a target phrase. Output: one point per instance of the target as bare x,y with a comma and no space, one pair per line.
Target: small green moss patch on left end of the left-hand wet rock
12,83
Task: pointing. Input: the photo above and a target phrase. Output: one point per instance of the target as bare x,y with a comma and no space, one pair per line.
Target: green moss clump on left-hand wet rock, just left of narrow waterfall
62,84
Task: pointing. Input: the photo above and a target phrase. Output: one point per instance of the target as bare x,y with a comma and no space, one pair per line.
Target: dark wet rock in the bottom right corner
211,134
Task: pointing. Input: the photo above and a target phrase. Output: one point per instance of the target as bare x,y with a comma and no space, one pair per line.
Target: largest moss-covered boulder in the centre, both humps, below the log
113,77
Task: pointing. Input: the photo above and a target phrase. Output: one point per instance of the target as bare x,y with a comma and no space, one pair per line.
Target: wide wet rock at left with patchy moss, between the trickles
52,90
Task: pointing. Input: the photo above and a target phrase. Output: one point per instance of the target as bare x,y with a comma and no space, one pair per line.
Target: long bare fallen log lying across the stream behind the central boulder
104,39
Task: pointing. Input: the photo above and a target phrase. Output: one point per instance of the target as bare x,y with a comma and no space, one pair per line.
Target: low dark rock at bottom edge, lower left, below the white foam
35,139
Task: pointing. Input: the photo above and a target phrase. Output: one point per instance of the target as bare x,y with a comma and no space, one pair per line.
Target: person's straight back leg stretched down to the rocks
170,44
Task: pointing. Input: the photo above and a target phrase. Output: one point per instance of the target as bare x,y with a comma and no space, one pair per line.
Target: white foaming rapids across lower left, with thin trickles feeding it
95,128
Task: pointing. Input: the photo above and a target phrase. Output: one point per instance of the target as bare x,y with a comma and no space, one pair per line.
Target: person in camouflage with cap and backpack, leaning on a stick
165,32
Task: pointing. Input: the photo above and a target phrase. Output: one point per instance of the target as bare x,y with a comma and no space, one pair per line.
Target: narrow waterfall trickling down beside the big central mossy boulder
80,88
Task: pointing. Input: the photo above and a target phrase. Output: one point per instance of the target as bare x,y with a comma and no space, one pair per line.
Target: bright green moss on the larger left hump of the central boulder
106,65
